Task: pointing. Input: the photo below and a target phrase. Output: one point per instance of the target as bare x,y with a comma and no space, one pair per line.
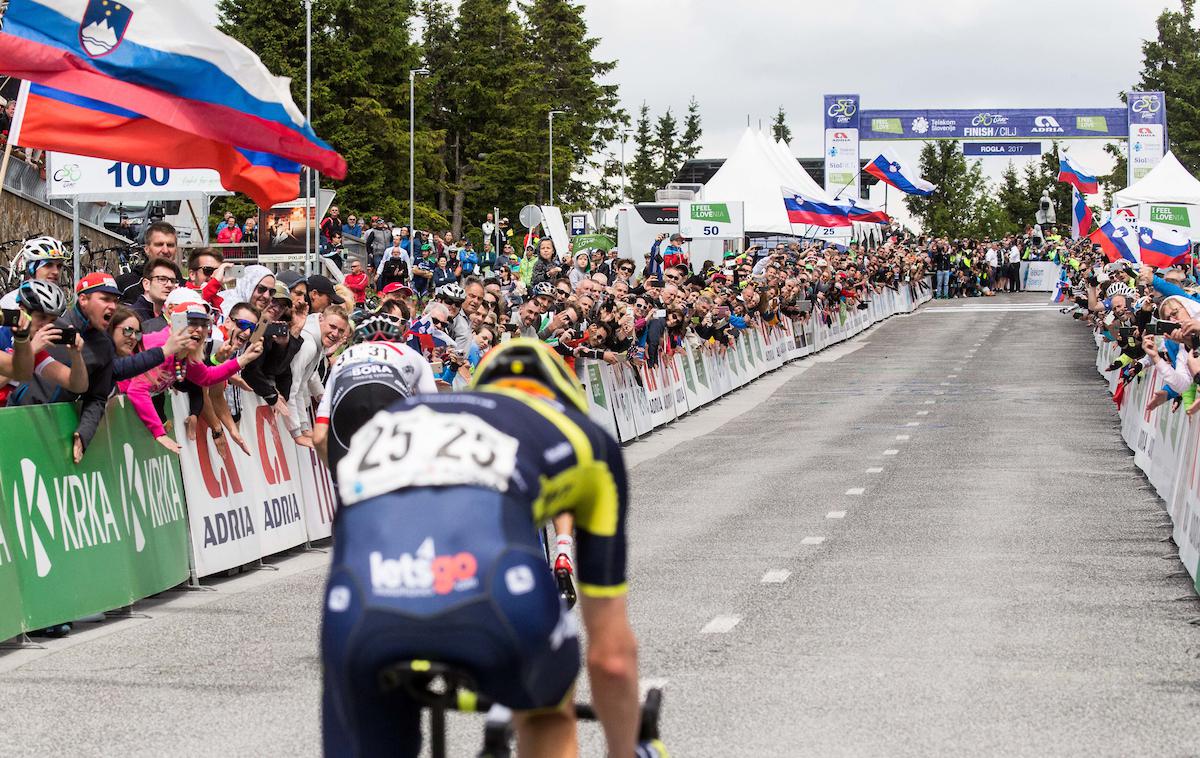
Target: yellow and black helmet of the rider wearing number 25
526,359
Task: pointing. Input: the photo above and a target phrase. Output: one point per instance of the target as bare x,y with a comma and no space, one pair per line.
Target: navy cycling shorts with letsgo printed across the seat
452,575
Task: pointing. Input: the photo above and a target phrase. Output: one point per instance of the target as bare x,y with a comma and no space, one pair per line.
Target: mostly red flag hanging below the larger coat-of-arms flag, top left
56,121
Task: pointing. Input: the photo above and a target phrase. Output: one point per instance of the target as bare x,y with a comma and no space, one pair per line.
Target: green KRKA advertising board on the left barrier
77,540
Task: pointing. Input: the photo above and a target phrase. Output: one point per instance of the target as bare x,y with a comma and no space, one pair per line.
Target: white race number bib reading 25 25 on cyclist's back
423,448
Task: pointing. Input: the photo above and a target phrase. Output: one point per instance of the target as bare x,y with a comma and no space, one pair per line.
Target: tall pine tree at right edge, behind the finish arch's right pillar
1172,64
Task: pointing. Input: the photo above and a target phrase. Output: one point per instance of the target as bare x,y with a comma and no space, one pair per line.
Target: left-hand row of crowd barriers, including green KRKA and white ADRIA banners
134,520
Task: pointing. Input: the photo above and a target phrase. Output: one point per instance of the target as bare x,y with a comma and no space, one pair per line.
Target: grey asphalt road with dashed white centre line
929,542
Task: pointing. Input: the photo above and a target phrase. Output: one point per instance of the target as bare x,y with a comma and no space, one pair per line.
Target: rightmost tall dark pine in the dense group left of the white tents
567,77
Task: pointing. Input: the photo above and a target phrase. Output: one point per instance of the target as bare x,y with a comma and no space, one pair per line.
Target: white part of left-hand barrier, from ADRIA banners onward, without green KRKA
243,508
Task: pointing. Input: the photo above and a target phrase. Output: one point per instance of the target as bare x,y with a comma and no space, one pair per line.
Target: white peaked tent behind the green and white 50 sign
753,176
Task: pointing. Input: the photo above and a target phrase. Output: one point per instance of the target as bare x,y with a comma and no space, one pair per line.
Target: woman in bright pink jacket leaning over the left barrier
187,364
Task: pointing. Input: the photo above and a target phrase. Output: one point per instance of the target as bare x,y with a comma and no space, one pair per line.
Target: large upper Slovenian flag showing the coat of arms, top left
164,62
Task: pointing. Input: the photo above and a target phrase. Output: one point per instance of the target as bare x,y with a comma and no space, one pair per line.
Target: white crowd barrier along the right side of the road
1167,448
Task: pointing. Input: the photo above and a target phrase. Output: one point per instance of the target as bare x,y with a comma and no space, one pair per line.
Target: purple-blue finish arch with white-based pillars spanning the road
1142,124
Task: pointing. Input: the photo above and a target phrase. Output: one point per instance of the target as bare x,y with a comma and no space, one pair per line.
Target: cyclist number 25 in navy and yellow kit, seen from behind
436,557
